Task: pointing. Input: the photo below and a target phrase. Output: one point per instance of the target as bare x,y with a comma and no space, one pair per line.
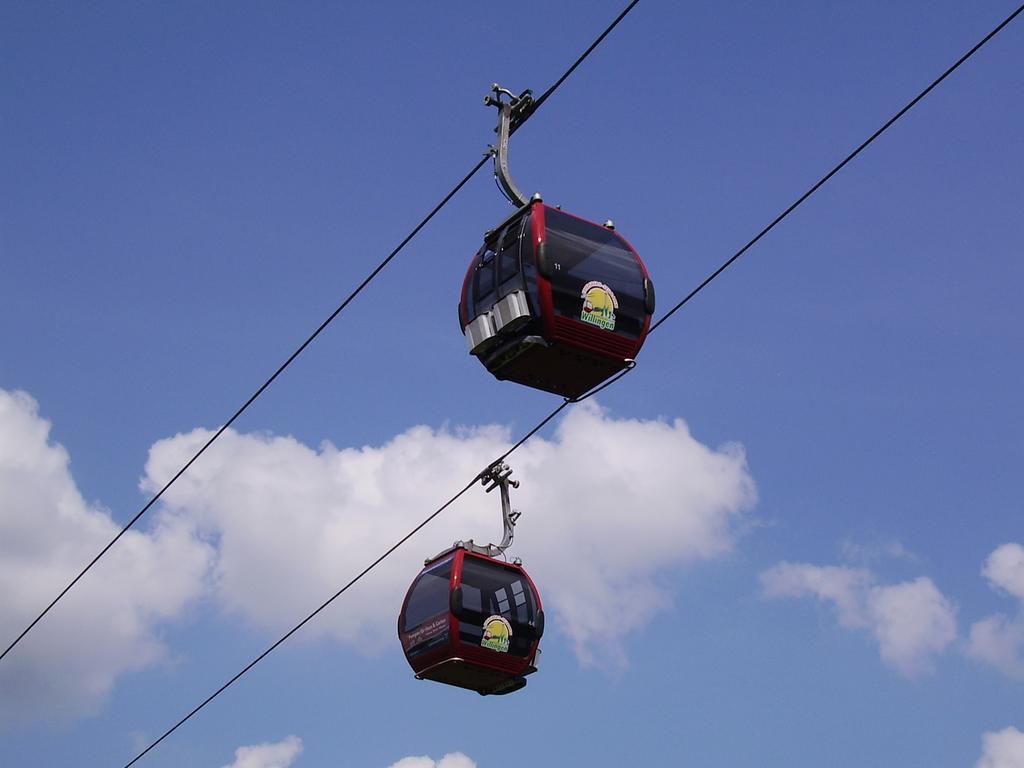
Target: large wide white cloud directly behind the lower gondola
608,505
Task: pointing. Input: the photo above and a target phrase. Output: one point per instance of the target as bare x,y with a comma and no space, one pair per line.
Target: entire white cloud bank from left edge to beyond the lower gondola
267,528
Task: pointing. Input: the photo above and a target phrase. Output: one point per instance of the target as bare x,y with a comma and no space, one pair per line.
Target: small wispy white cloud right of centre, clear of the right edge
912,622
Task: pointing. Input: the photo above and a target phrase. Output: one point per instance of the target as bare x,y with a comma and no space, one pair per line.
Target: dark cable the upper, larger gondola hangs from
312,337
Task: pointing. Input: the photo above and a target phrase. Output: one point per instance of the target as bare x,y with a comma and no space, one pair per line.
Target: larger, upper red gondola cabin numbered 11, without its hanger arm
556,303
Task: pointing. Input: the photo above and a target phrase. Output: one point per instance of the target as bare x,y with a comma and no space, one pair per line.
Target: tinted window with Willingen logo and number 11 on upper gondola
581,254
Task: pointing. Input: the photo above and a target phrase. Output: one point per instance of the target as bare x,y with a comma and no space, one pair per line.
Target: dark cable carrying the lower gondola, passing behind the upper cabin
569,402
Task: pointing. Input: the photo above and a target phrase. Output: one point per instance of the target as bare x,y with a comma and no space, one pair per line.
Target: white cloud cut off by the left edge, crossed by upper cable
107,626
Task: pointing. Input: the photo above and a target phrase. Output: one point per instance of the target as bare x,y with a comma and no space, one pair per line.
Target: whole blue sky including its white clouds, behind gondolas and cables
792,537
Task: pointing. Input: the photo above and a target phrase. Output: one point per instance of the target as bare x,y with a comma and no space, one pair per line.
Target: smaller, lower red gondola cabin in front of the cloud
473,622
